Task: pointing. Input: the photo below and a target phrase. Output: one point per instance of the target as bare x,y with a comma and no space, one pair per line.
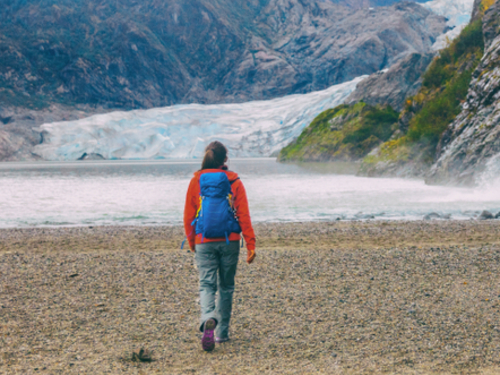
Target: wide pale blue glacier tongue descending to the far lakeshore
252,129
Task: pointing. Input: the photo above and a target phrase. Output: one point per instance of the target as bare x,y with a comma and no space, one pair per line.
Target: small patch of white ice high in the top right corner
458,13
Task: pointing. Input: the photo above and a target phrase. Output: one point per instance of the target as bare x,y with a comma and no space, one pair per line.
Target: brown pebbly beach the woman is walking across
321,298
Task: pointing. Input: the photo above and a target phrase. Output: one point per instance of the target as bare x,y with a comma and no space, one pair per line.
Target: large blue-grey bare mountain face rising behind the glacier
142,54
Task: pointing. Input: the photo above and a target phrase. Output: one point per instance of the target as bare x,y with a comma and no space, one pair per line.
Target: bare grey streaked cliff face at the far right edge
471,145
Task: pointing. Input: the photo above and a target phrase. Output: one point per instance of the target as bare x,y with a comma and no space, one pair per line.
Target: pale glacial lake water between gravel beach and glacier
153,193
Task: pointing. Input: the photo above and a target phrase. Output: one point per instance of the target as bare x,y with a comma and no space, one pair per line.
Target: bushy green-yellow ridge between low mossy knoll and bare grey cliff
424,123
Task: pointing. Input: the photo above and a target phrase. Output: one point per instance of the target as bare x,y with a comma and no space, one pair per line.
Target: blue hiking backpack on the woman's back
216,217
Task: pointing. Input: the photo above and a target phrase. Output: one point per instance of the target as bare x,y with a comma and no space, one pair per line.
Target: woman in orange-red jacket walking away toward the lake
215,214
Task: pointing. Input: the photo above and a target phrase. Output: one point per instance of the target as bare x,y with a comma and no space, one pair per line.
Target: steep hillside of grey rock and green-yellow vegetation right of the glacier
448,127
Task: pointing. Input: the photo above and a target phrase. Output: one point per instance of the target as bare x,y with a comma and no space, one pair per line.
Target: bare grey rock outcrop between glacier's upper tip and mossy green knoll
393,86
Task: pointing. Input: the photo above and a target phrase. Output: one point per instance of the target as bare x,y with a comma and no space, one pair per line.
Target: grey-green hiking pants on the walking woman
217,262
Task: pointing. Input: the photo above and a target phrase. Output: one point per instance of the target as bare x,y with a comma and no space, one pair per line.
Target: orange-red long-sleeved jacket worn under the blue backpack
240,204
